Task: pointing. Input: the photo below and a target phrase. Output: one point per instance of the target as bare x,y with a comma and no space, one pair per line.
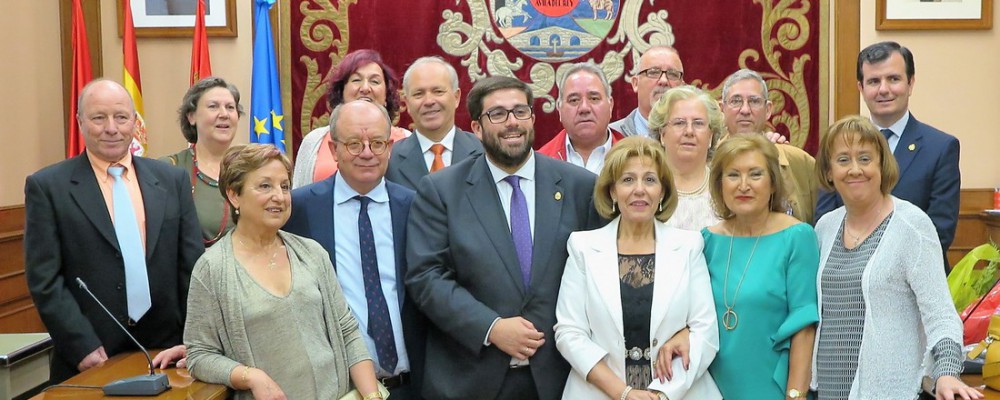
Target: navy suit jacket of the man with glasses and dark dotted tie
312,217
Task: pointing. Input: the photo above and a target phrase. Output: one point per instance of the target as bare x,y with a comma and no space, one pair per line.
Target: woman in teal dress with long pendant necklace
762,263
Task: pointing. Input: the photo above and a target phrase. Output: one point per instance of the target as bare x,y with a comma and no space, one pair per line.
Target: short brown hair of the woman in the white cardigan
847,129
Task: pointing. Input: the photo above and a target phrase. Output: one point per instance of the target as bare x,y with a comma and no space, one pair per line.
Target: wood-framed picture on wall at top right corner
933,14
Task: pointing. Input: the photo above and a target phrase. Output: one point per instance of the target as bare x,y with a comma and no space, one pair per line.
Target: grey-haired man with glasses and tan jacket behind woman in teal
747,110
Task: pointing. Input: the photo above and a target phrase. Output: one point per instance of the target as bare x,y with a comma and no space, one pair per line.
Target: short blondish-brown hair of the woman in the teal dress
736,146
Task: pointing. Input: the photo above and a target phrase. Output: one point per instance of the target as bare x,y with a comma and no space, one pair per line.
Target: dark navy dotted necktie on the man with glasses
379,324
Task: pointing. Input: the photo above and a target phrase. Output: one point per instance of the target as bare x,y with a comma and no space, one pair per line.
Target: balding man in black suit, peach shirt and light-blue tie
72,230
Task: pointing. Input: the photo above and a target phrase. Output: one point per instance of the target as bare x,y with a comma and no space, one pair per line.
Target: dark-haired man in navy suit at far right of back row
929,176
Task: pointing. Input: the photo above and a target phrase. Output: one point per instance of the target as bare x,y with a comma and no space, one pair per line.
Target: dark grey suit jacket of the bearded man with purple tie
464,272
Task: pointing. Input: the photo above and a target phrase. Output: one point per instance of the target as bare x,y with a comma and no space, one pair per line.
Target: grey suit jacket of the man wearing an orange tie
407,165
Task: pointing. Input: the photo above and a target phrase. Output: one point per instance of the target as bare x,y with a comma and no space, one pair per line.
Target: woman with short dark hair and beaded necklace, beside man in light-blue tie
209,115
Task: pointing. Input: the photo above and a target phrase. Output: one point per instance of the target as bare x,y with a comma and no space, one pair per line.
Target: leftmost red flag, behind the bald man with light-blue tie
79,77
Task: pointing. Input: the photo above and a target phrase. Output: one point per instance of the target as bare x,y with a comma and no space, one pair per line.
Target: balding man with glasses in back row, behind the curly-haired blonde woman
659,69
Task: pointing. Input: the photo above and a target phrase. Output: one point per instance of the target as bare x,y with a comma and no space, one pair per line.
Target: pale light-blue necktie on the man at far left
130,242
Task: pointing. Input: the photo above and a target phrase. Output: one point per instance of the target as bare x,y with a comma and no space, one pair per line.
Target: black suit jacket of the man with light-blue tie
69,234
